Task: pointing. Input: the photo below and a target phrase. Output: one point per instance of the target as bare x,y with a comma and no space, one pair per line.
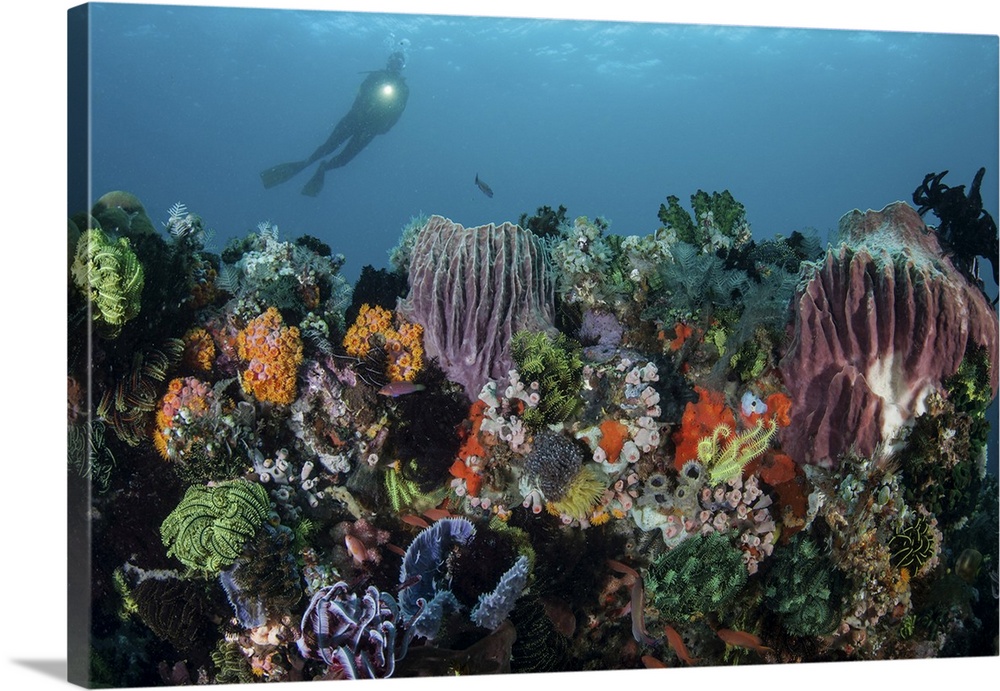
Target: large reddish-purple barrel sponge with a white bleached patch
878,324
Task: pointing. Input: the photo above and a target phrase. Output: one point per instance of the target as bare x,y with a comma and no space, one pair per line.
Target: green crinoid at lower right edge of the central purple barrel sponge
556,365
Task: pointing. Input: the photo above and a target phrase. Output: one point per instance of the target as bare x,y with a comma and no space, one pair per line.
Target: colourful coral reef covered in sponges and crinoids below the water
675,485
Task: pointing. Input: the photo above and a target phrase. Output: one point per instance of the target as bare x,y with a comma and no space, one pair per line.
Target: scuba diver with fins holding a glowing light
380,101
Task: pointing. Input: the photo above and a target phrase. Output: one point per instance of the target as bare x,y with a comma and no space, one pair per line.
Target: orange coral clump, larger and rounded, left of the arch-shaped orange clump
272,353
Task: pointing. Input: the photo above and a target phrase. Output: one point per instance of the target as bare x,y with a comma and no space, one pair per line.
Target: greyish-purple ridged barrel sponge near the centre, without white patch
472,289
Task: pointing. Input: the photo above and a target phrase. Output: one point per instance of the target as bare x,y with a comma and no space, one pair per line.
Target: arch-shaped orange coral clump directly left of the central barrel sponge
403,344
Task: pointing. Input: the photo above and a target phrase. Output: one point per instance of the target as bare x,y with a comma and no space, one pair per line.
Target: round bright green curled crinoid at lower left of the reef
212,524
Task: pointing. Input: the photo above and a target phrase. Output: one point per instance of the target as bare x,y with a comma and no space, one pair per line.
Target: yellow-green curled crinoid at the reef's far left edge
111,276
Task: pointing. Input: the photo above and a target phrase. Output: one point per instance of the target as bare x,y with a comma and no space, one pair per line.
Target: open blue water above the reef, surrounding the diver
802,126
